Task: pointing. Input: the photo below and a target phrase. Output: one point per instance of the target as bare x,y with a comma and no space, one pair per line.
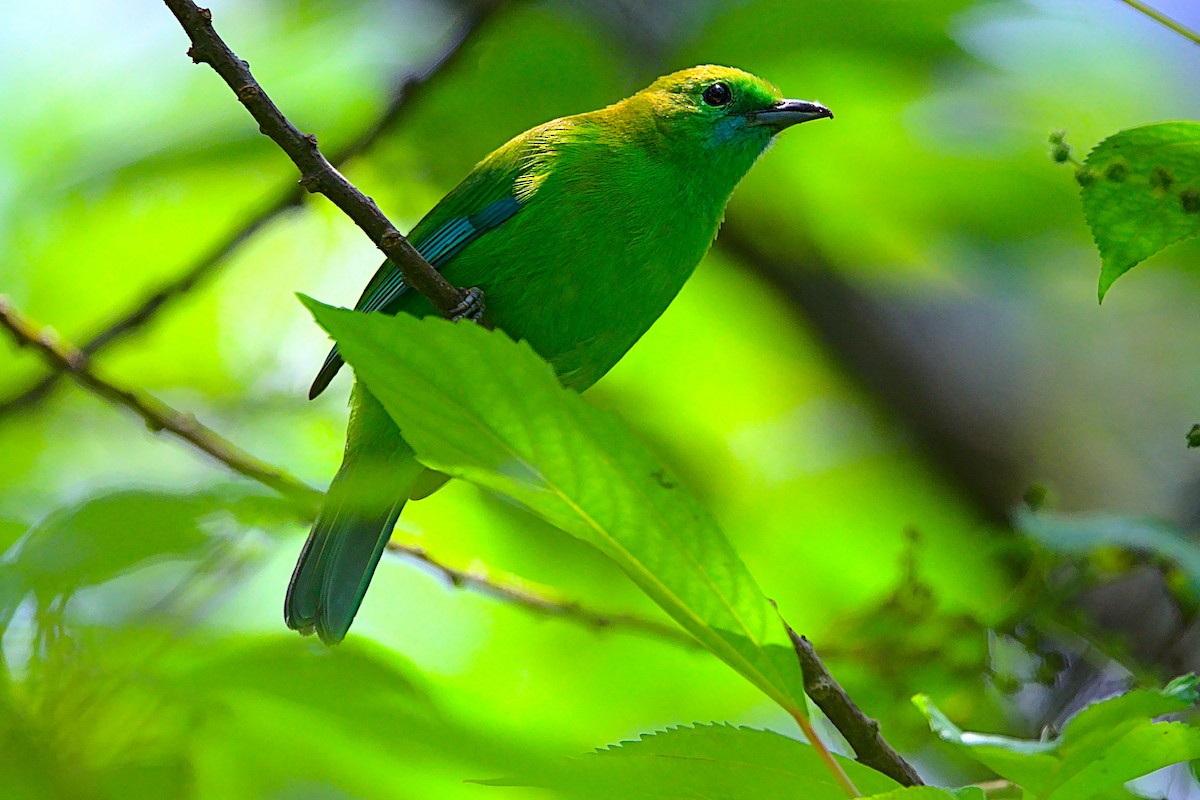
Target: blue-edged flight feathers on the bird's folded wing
388,285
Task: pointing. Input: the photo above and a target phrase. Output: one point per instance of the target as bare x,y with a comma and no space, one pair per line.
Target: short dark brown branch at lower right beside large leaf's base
861,731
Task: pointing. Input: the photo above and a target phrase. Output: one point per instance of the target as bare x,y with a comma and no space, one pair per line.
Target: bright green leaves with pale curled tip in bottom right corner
1101,749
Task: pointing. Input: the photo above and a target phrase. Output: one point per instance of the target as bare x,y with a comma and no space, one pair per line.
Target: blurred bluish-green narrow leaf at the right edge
1073,533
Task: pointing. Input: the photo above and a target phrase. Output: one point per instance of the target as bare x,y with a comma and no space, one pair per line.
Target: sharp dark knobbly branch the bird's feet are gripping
316,173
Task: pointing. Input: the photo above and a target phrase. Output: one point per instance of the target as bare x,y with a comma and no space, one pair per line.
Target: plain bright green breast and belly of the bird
592,261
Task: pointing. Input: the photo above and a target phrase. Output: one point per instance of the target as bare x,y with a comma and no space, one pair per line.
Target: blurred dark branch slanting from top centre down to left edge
410,88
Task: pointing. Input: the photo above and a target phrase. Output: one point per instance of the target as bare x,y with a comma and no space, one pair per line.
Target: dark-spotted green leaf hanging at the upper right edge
1142,193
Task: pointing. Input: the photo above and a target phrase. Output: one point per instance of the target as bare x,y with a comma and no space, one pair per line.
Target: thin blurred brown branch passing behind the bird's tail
70,360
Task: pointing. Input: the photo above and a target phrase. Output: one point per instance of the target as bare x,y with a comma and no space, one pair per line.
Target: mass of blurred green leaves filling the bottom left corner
95,703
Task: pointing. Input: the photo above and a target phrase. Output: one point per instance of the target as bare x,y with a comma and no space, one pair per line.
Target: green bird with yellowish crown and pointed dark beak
580,233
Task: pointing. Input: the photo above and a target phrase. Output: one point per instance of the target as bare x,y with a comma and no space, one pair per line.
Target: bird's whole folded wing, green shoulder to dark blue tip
493,194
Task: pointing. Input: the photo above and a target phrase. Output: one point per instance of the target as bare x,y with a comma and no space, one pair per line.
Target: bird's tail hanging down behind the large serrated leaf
353,527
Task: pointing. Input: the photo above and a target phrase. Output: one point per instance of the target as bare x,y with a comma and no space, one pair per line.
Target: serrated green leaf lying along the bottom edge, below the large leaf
716,762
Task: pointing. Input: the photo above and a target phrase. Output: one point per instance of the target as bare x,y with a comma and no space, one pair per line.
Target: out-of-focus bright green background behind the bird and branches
895,338
